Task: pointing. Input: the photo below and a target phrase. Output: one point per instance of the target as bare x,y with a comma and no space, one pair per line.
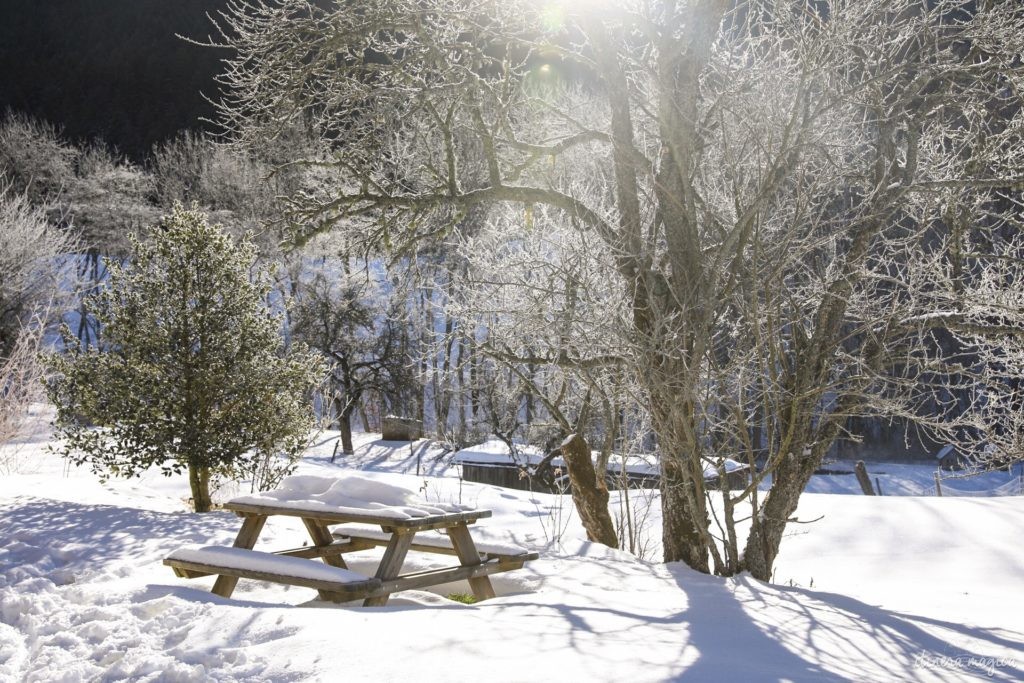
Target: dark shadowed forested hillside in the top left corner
112,69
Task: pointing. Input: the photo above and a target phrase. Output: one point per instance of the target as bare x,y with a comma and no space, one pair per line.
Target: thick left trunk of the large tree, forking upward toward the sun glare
685,511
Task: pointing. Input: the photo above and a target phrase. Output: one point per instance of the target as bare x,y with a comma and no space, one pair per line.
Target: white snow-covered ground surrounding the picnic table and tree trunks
879,589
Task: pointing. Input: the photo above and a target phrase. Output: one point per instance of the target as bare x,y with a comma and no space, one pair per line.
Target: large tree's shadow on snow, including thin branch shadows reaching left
741,629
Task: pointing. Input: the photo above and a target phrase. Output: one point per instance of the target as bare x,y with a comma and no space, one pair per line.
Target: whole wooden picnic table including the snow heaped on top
364,506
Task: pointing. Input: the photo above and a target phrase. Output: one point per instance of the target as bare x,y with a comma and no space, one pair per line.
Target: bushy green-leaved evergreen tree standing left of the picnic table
190,373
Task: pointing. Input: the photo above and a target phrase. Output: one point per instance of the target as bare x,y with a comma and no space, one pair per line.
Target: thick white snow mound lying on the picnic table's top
350,494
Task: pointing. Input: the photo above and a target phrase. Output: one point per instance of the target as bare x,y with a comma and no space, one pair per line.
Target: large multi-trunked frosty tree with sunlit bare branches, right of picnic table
797,200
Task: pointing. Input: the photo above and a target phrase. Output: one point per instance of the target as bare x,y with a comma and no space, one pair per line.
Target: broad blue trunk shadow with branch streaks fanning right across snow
806,635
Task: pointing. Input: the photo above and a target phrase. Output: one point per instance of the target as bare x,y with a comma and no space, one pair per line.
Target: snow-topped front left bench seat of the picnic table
269,567
